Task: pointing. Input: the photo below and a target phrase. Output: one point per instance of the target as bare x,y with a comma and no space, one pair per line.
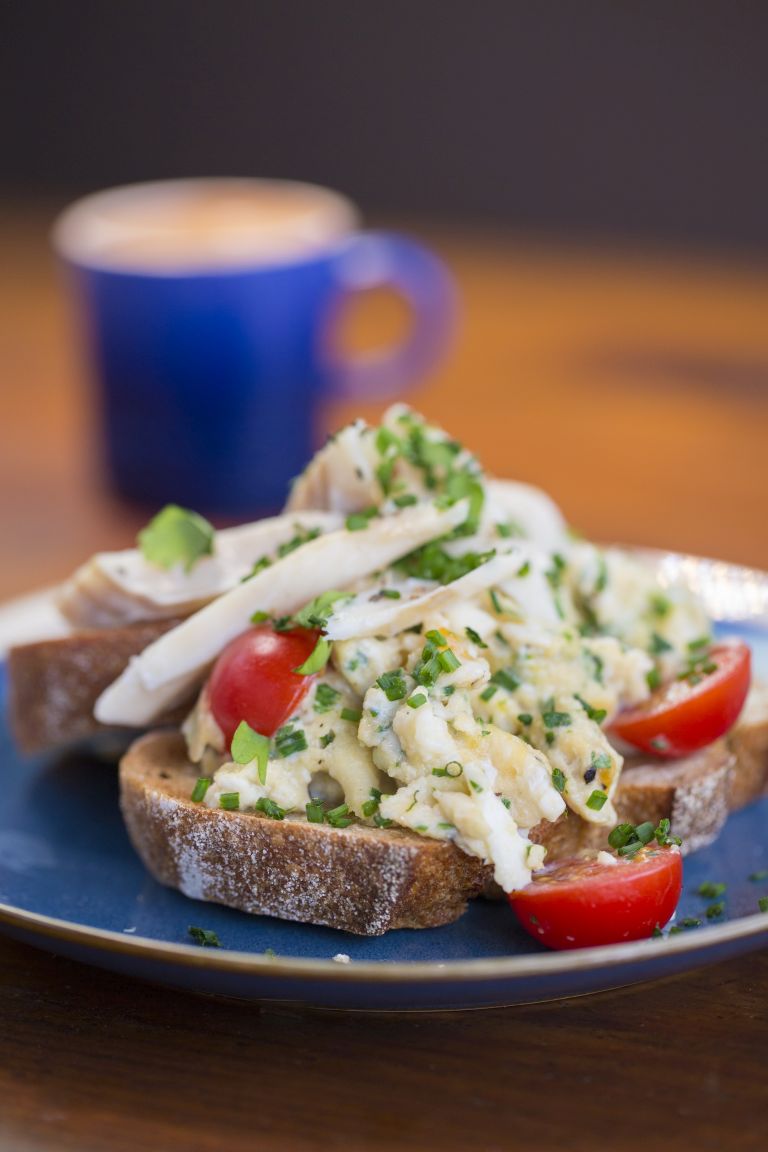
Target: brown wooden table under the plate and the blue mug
636,390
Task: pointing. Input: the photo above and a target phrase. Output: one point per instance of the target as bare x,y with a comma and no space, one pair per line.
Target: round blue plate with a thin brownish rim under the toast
70,882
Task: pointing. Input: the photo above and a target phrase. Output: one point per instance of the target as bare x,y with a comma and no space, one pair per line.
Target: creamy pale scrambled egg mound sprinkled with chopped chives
488,716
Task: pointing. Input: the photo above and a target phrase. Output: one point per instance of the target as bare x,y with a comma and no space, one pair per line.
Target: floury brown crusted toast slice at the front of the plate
361,880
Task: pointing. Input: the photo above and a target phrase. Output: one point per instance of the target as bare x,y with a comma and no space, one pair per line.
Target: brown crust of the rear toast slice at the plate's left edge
56,684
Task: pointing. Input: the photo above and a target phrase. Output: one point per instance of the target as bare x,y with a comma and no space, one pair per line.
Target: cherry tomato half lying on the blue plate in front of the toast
581,904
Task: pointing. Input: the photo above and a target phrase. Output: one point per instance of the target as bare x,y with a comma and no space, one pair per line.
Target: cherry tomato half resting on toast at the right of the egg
687,715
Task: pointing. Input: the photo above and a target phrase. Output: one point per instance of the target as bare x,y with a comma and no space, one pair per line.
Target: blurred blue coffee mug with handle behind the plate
215,370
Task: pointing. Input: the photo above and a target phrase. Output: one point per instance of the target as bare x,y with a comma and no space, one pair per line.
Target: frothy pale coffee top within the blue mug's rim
204,225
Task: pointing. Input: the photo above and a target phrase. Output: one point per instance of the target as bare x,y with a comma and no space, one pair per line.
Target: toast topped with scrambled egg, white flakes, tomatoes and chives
424,684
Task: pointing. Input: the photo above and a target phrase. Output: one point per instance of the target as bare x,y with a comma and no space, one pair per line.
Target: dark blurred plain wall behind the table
626,119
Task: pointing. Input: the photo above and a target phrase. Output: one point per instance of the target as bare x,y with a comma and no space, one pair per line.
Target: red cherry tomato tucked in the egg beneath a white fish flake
254,679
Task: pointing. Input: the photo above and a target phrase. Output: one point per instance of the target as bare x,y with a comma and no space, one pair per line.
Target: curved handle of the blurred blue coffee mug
377,260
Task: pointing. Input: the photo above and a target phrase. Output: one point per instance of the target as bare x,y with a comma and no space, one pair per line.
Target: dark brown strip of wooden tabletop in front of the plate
92,1060
